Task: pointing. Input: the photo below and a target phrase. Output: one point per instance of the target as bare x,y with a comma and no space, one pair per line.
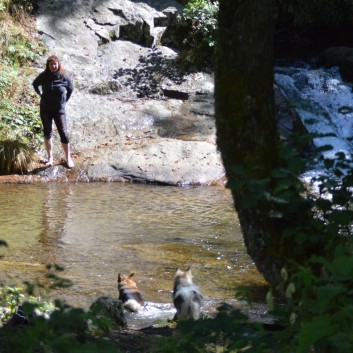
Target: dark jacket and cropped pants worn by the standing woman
56,90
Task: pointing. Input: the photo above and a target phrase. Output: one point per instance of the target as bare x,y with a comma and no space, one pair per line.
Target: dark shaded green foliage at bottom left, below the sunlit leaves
66,330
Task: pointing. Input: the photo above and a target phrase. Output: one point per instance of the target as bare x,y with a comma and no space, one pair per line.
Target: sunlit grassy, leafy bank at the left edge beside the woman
19,116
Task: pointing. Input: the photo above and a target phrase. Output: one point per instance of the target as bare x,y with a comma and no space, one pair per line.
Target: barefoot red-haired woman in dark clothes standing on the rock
55,88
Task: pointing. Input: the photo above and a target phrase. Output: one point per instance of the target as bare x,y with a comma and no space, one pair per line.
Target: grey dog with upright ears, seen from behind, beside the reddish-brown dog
187,298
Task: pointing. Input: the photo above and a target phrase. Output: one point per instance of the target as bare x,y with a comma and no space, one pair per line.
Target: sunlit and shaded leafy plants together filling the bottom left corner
31,325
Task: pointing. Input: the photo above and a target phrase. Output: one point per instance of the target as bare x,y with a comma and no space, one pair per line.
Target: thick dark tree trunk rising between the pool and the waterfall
247,134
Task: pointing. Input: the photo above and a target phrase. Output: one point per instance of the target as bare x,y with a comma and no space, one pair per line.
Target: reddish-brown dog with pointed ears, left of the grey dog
129,293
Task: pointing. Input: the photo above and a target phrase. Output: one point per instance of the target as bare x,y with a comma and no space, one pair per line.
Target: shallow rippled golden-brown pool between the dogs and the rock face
97,230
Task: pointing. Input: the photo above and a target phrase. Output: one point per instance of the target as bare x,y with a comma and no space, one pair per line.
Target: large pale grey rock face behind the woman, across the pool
136,113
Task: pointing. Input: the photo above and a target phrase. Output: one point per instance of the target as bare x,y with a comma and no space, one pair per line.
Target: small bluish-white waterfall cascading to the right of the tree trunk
324,103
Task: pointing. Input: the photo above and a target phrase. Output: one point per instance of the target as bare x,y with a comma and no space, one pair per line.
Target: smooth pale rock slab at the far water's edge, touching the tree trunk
170,162
